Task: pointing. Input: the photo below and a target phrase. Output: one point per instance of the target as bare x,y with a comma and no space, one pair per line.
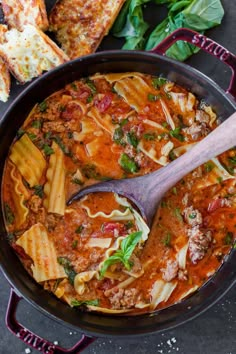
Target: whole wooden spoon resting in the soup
147,191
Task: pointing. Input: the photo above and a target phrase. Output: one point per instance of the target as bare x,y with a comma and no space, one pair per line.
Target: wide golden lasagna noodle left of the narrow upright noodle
28,159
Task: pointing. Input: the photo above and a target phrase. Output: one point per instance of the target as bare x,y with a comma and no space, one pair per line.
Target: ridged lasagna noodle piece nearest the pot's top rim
134,90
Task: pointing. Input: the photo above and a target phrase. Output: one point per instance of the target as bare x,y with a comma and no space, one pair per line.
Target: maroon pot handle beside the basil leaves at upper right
205,43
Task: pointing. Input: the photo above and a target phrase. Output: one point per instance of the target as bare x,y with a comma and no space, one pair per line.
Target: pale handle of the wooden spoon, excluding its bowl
218,141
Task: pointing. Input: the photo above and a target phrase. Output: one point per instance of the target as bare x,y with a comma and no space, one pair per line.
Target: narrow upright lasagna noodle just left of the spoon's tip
54,188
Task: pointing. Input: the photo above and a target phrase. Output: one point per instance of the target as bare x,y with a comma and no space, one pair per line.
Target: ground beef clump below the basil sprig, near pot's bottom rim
123,298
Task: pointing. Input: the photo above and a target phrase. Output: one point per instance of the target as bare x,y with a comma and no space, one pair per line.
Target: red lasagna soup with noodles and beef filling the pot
98,254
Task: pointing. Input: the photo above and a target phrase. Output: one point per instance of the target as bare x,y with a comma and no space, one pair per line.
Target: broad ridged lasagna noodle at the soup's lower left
38,246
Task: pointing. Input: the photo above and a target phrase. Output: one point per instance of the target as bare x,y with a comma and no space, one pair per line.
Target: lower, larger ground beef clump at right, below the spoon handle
199,243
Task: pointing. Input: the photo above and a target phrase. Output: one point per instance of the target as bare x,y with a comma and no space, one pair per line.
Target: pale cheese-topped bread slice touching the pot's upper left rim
29,52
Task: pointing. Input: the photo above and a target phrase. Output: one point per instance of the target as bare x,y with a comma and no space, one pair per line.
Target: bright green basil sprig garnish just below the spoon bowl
123,255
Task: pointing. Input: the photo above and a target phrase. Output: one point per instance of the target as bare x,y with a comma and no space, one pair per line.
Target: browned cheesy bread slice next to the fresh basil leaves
80,25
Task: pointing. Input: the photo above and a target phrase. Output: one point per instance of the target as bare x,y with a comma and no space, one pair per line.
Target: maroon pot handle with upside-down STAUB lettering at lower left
32,339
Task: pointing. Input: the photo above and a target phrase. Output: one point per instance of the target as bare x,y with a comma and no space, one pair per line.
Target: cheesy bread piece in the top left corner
18,13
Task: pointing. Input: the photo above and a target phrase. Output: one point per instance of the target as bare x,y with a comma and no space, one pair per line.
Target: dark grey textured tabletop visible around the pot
212,332
